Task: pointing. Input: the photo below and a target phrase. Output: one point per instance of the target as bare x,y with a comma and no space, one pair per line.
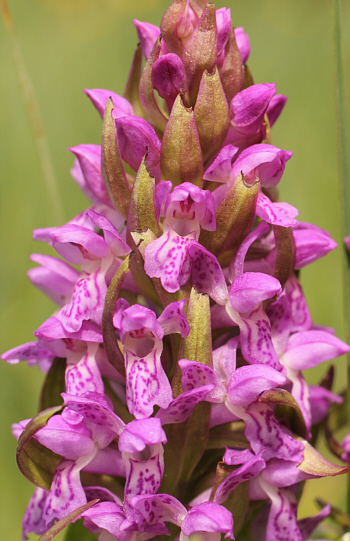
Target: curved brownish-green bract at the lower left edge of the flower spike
36,462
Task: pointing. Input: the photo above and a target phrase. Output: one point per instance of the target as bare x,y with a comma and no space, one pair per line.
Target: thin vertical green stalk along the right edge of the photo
344,169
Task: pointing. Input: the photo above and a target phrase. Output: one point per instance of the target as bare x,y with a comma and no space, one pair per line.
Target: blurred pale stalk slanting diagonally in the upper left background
56,211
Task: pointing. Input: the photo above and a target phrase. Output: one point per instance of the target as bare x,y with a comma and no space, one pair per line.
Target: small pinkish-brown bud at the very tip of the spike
177,24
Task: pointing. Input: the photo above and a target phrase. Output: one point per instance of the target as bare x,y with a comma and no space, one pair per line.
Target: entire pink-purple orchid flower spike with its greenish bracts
182,334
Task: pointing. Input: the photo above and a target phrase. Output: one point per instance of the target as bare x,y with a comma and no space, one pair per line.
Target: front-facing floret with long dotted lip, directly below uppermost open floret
141,334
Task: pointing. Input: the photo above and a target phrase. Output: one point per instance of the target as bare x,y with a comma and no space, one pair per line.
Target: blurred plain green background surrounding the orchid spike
69,45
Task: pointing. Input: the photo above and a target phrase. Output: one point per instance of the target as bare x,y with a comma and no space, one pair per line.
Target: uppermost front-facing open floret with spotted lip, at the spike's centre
186,209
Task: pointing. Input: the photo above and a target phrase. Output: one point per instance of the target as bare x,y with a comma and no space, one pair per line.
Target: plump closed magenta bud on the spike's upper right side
249,107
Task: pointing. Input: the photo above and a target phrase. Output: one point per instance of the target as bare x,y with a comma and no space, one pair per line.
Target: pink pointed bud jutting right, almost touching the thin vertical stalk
311,244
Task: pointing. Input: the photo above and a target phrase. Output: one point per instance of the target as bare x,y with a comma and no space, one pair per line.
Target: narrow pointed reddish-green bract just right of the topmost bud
200,52
